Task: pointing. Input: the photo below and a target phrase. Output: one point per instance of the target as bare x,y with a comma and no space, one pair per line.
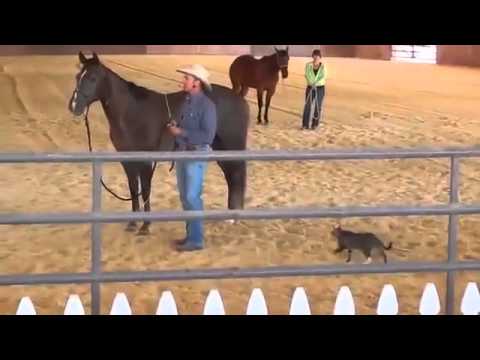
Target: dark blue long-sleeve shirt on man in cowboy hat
198,120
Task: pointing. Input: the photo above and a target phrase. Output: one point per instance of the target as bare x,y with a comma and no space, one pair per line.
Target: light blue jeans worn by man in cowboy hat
190,175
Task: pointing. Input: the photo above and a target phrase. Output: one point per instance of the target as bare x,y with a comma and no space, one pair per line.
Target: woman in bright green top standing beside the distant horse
315,73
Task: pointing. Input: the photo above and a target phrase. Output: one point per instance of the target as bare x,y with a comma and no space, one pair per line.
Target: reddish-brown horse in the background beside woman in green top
262,74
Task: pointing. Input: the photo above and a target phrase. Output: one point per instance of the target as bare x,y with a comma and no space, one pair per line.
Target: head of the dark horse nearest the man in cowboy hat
90,83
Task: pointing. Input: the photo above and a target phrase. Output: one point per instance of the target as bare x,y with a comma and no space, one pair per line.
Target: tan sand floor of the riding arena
368,104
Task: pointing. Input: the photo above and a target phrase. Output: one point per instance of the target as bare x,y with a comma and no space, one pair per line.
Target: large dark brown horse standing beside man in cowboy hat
138,120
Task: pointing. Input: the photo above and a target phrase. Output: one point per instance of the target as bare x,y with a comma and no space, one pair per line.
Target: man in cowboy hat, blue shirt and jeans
195,131
